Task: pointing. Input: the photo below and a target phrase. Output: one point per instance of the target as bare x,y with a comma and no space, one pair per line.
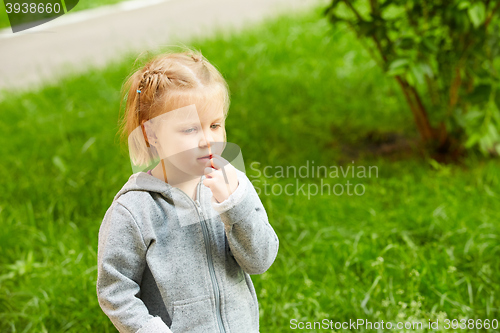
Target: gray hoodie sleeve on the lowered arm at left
121,260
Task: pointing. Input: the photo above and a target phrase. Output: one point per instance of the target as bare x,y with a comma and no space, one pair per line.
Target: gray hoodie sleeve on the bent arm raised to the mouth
251,238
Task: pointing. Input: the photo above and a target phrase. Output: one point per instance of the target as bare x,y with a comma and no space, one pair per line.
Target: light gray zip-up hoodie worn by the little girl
183,267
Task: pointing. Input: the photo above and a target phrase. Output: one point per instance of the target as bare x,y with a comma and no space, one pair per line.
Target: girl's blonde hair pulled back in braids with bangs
167,82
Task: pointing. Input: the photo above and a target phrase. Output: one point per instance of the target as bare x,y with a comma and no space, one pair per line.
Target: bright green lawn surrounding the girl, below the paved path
421,243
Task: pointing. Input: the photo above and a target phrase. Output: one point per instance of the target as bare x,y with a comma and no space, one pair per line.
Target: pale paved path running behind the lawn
75,41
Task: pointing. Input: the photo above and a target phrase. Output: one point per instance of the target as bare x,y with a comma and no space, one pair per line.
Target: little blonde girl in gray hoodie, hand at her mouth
179,242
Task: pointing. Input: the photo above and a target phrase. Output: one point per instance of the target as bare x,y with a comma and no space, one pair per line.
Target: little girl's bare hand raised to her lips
222,180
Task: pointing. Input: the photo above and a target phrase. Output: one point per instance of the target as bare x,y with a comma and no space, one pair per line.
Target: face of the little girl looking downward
183,137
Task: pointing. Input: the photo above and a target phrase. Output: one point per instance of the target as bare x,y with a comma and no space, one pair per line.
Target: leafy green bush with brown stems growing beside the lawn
445,56
